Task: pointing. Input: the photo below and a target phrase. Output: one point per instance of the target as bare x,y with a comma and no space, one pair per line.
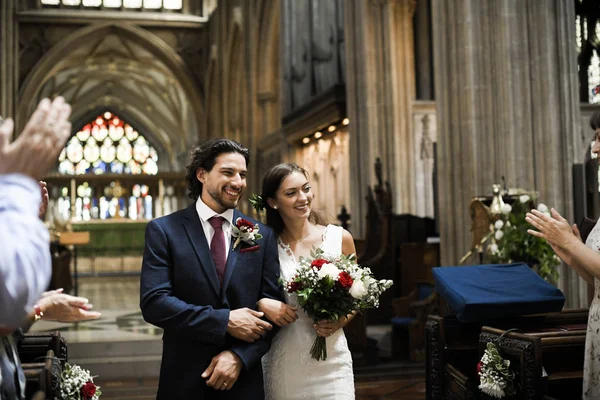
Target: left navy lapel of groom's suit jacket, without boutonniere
195,233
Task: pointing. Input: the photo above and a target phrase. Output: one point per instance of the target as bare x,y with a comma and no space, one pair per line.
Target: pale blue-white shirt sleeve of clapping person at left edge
25,263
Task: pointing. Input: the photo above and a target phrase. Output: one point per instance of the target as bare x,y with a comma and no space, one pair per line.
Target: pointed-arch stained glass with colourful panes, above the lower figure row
108,145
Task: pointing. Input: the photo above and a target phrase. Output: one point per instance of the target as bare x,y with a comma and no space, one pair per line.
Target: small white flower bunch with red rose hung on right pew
496,379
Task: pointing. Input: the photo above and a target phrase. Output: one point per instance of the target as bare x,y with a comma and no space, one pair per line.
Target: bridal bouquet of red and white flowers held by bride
330,288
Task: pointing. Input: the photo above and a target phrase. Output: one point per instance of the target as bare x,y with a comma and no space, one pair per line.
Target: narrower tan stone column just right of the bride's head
380,89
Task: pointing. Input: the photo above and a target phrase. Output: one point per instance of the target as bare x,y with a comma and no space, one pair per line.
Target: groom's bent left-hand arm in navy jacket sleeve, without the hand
158,304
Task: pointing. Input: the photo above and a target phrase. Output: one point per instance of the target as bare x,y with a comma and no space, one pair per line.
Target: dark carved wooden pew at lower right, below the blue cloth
453,348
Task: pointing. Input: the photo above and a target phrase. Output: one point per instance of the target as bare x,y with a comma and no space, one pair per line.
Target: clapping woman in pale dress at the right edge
585,260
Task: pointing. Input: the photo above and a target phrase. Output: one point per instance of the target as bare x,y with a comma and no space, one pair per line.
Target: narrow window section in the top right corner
587,33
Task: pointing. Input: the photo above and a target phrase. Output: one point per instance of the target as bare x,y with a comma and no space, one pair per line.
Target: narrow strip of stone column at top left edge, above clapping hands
8,60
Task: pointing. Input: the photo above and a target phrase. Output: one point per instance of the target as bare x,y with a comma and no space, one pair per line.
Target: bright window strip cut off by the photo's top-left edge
119,4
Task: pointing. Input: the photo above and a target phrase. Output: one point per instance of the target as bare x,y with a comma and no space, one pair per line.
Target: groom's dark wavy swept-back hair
205,157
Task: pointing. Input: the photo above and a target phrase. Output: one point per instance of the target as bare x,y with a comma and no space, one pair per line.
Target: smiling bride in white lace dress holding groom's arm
289,371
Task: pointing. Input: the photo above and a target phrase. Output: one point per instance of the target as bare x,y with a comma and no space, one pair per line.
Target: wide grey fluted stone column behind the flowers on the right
507,104
